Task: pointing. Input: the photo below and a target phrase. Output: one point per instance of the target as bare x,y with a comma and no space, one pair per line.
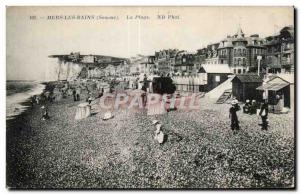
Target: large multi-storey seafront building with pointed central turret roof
242,54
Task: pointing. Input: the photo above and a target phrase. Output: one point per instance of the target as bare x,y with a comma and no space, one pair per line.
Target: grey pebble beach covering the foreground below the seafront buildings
201,151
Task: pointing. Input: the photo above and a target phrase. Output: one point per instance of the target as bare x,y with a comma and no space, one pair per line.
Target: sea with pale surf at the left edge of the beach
18,92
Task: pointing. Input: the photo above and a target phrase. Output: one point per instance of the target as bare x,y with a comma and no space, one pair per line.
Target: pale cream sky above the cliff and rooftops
29,42
